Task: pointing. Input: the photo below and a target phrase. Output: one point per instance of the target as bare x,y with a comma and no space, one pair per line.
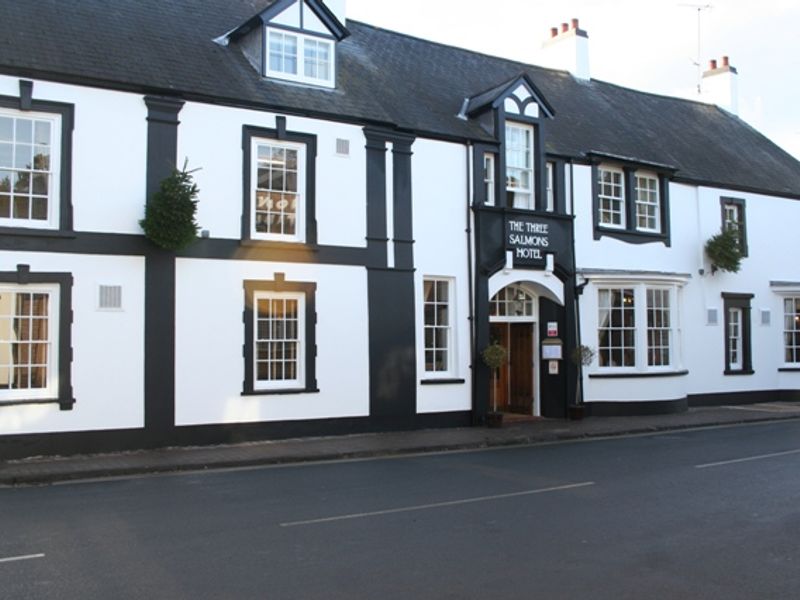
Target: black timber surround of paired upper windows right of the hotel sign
631,233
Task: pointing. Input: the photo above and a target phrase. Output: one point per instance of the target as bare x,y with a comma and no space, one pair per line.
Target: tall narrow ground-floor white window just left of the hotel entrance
438,326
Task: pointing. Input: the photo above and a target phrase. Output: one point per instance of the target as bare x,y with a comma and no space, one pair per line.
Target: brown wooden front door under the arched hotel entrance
513,383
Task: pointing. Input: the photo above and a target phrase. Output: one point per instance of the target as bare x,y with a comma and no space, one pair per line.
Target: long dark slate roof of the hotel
384,77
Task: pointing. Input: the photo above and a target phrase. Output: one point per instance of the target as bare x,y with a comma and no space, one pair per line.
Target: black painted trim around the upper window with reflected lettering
249,133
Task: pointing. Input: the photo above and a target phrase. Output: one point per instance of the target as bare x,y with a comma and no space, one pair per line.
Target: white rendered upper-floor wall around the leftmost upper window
109,152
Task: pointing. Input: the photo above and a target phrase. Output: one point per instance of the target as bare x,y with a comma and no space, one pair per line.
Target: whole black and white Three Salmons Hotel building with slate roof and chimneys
375,209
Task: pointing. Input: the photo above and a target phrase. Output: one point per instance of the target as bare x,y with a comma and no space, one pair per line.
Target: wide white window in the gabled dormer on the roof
300,58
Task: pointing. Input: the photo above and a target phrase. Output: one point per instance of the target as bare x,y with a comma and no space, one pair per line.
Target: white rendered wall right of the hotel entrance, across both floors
695,216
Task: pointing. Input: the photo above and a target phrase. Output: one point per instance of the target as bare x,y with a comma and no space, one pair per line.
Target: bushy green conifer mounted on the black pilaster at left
169,217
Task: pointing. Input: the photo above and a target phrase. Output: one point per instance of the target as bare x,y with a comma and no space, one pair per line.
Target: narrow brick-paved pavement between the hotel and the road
48,470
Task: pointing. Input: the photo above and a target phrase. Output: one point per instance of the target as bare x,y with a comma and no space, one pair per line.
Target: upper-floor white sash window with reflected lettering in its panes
278,194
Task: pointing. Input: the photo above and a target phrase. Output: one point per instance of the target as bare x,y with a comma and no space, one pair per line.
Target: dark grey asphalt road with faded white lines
699,514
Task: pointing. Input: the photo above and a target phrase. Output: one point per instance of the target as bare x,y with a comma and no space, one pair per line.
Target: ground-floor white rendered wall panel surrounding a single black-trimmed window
209,368
